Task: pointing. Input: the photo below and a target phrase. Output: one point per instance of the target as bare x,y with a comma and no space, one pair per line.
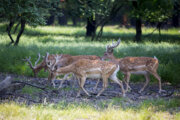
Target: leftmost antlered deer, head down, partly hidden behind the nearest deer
64,61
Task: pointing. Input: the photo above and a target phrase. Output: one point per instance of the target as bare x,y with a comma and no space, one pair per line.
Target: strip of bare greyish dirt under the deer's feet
47,94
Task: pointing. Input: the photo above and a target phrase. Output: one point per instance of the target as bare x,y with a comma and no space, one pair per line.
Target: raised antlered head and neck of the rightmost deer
109,50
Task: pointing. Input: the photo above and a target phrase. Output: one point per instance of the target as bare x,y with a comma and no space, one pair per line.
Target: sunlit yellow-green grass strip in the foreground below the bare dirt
148,110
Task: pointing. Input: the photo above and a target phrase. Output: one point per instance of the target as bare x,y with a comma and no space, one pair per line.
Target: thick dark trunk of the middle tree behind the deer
91,27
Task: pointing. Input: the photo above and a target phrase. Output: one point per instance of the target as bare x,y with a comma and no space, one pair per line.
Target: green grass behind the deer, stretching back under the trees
71,40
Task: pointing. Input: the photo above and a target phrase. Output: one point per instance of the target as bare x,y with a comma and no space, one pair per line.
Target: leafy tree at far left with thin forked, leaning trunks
31,12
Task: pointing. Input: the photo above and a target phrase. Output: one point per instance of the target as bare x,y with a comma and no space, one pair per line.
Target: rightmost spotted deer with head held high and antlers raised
134,65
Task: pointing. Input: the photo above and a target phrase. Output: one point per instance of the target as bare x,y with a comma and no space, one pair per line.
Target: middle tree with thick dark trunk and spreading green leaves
98,13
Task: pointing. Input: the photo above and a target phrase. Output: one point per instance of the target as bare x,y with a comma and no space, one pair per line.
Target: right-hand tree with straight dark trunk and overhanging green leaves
150,10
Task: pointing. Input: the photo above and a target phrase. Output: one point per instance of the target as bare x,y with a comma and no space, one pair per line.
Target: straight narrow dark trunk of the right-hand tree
138,30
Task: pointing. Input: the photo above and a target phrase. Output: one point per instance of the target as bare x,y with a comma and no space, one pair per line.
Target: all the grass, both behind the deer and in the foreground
72,40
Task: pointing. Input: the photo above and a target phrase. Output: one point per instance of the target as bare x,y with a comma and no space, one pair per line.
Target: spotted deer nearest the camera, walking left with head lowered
86,68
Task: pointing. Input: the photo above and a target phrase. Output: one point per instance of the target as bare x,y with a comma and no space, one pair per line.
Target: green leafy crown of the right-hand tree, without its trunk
153,10
